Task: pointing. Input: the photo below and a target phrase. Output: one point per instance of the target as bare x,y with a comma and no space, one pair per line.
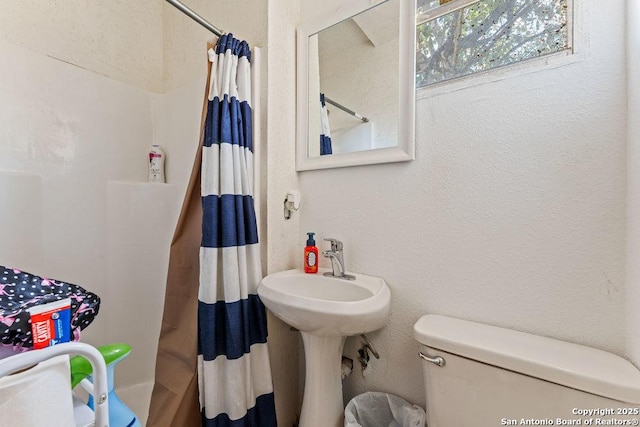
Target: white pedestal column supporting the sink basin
322,404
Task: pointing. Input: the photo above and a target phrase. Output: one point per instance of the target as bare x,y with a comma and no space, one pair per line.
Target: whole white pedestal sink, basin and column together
326,310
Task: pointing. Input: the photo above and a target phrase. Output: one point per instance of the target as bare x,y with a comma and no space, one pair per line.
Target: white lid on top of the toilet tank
571,365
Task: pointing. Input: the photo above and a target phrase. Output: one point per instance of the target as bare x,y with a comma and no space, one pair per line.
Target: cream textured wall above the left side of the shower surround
119,39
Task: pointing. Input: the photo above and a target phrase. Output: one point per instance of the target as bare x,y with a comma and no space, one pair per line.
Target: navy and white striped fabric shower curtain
234,374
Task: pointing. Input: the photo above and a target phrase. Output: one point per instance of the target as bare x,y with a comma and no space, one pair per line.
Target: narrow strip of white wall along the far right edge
633,182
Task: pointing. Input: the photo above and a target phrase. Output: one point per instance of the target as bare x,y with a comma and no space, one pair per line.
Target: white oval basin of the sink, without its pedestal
327,306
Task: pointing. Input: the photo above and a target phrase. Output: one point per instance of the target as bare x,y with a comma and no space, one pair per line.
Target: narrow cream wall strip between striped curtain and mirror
283,236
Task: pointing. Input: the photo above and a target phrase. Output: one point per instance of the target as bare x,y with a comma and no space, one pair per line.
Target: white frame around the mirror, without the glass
405,150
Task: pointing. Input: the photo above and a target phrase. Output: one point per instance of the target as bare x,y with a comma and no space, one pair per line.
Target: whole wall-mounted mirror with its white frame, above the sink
356,85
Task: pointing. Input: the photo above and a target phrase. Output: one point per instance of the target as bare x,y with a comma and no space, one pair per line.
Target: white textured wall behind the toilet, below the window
513,212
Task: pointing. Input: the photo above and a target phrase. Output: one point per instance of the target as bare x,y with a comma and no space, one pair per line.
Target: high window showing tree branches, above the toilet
456,38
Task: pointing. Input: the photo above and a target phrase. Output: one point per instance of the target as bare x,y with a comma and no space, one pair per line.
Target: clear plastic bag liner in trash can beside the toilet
374,409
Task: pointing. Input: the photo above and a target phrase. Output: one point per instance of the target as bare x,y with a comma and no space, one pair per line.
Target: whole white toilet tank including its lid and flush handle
495,377
